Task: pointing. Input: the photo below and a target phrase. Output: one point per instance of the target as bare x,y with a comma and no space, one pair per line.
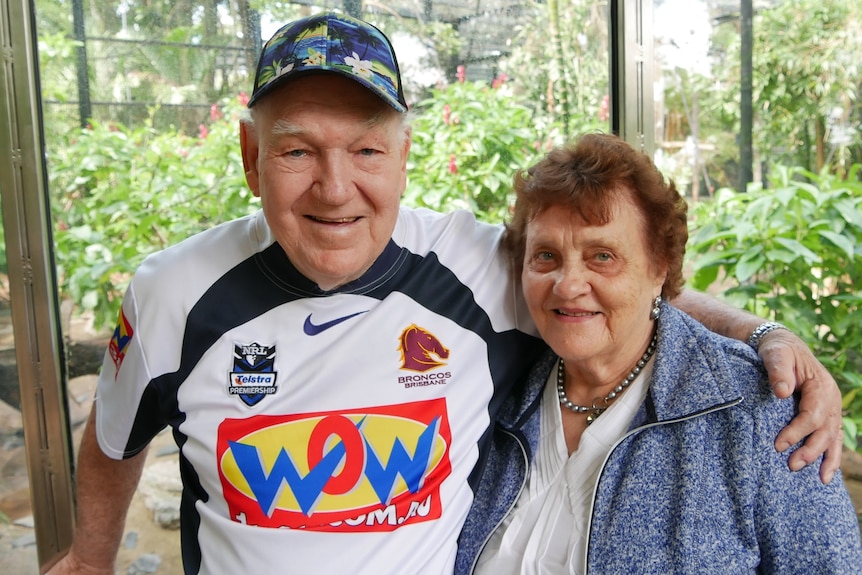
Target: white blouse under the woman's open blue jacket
545,533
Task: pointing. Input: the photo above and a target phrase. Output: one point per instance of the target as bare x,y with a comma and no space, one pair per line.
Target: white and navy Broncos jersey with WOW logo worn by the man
328,432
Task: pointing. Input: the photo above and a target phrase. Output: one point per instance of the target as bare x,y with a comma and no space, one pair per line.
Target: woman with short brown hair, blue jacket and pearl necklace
643,443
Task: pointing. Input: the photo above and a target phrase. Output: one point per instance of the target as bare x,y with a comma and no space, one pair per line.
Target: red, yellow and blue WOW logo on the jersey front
371,469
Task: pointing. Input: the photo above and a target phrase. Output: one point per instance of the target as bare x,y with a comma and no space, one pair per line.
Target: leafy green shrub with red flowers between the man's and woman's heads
468,141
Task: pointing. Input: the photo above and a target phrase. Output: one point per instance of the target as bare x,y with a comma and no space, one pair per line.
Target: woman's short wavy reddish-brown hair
586,176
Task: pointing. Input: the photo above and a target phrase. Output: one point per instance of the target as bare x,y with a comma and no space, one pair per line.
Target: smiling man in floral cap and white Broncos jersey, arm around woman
330,366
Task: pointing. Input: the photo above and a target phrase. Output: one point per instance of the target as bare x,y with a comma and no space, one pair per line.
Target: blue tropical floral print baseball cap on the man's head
330,42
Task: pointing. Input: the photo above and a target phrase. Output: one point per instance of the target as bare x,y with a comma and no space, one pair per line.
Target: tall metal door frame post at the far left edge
32,283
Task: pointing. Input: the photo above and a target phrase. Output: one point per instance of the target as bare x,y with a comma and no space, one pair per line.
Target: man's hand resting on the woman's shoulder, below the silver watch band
792,367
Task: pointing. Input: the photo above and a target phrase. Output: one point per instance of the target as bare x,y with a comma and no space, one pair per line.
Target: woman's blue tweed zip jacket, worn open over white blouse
696,486
